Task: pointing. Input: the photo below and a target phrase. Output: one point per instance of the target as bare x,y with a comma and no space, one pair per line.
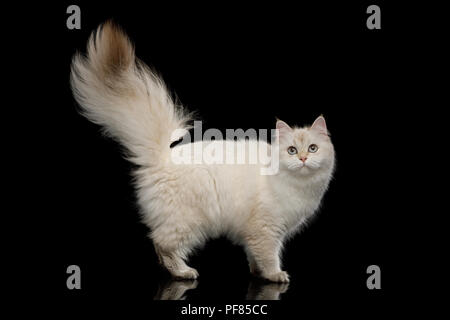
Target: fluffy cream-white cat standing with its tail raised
186,204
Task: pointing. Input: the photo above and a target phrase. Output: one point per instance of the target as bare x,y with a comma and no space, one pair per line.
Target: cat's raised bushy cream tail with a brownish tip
125,97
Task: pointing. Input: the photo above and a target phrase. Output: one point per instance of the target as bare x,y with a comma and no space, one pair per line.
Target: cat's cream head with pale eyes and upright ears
307,150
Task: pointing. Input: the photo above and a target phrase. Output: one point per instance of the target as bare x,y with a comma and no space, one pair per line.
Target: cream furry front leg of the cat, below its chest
264,250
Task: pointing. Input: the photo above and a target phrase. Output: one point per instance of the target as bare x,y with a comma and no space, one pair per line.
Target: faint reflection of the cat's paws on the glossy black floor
257,290
